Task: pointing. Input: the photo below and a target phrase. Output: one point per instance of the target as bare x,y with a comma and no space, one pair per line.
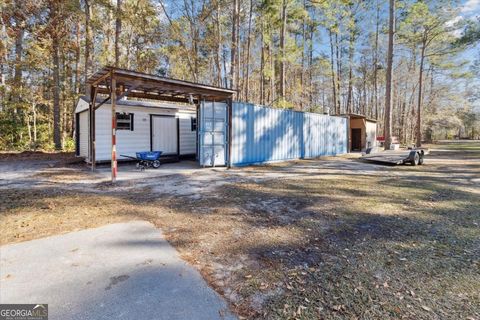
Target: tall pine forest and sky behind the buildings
309,55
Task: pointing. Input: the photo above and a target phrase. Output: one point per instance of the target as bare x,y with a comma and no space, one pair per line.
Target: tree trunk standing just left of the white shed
57,139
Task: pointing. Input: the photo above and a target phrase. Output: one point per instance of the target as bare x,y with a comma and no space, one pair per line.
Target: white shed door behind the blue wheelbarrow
164,134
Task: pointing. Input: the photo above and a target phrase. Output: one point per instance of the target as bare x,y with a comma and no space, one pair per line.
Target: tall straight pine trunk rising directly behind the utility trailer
388,91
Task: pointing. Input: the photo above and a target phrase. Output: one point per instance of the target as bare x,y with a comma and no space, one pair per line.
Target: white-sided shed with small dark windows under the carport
141,126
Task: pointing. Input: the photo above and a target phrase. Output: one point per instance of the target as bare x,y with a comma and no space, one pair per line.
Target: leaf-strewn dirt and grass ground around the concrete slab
330,238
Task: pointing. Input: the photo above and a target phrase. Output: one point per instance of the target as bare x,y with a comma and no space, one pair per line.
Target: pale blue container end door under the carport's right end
213,133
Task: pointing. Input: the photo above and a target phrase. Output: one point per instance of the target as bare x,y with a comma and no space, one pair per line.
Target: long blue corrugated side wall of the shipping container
262,134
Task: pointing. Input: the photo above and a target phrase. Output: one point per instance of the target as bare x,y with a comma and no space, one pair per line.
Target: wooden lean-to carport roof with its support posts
117,83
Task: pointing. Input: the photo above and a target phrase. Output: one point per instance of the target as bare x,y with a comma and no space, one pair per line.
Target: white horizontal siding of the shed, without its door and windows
129,142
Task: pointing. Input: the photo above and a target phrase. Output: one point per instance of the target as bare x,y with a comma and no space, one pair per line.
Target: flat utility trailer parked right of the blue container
413,156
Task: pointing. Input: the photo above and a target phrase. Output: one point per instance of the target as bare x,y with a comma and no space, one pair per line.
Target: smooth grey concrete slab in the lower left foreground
119,271
